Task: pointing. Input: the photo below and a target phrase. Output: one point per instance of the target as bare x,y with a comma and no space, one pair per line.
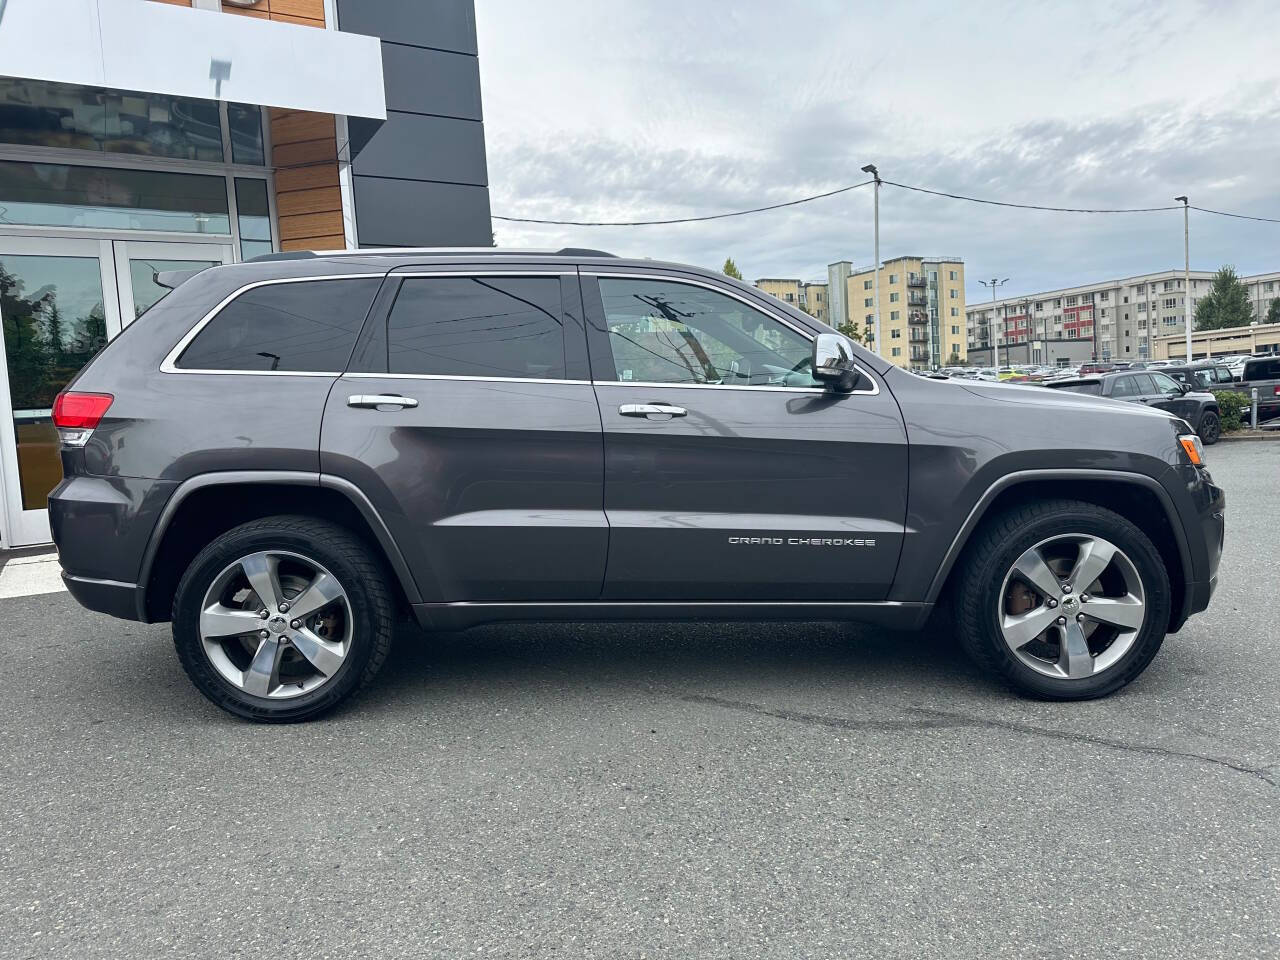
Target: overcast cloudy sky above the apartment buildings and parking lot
619,111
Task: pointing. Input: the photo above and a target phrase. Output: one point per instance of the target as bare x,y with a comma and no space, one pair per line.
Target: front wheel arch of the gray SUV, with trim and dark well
1139,497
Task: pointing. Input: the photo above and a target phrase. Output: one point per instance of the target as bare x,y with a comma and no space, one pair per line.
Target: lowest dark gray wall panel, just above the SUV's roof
409,214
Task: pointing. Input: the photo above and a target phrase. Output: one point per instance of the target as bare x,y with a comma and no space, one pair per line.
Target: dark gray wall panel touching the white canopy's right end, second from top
432,83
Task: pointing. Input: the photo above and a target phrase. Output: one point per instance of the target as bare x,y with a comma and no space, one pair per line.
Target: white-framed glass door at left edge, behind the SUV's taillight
58,307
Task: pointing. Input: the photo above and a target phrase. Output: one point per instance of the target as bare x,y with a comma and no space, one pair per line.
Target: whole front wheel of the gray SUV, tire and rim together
1063,600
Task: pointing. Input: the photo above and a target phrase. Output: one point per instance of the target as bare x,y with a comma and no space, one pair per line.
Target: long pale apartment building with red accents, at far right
1117,321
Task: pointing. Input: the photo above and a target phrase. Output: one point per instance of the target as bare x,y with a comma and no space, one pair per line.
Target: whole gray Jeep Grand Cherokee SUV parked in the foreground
285,458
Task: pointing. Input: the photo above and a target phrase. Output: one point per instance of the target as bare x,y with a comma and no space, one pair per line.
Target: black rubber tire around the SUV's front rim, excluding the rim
993,554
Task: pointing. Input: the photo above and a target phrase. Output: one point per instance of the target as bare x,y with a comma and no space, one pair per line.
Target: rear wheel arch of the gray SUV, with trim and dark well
209,505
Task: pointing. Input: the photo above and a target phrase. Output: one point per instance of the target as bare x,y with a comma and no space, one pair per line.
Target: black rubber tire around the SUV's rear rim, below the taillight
342,555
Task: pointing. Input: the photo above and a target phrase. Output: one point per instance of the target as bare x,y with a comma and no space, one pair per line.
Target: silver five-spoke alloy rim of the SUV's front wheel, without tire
1072,606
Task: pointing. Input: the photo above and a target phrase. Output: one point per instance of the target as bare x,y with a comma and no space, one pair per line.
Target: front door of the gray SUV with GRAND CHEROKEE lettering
730,473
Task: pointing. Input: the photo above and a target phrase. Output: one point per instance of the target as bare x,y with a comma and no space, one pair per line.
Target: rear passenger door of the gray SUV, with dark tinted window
469,420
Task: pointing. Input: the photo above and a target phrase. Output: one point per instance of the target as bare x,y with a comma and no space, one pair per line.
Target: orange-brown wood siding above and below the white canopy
304,150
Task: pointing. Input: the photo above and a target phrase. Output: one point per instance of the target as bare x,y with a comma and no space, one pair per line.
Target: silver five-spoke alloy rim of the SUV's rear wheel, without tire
276,625
